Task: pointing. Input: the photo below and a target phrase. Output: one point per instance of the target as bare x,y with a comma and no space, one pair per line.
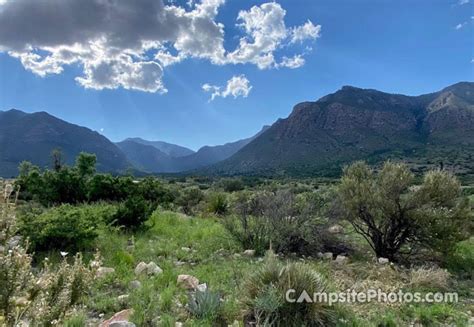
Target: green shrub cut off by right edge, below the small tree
461,261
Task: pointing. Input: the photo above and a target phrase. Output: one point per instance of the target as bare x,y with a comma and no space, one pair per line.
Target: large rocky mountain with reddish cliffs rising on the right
355,123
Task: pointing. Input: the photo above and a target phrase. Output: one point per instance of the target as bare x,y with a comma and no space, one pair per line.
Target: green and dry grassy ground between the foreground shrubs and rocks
202,248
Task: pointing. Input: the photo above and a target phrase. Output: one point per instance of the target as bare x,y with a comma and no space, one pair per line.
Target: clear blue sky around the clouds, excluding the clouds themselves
409,47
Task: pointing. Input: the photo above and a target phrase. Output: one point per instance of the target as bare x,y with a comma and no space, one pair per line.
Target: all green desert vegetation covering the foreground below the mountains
206,228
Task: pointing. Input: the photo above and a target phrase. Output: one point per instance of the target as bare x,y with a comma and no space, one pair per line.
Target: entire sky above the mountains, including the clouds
208,72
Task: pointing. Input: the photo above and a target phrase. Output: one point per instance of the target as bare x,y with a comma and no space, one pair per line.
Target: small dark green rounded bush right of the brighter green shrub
132,213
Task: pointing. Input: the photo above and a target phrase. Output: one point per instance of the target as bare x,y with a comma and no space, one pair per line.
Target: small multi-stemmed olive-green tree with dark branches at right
389,211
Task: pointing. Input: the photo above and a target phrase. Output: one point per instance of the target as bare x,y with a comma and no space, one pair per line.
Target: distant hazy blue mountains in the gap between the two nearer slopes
146,157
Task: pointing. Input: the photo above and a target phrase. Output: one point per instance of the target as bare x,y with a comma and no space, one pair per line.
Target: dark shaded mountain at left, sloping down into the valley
32,137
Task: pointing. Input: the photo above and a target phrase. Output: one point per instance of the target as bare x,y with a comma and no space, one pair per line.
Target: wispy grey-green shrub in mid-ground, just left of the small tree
289,223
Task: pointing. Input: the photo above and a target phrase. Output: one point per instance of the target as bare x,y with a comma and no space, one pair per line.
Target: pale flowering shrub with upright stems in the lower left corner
43,297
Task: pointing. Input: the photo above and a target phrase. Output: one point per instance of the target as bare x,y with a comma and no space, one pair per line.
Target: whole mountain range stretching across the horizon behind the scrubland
316,138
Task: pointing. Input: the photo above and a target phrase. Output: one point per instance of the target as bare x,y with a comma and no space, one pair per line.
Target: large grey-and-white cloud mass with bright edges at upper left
129,43
